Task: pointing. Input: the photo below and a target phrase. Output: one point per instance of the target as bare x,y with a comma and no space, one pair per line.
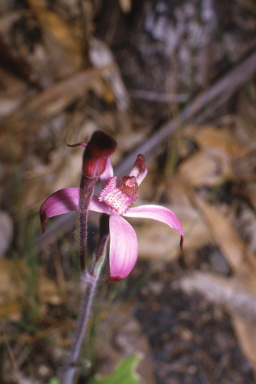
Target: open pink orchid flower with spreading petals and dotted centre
115,201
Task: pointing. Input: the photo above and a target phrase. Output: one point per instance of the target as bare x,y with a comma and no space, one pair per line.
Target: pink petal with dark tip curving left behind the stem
62,201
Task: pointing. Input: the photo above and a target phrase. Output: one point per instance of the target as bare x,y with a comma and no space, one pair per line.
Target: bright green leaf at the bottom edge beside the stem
124,372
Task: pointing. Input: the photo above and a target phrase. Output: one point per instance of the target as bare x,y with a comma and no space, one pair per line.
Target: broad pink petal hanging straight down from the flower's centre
123,248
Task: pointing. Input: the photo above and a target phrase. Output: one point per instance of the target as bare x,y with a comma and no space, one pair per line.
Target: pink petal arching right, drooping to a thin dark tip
159,213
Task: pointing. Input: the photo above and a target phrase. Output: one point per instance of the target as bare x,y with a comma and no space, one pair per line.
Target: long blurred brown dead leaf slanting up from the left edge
42,106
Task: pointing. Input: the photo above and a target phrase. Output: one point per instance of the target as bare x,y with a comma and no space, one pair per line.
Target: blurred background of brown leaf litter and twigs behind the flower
175,81
